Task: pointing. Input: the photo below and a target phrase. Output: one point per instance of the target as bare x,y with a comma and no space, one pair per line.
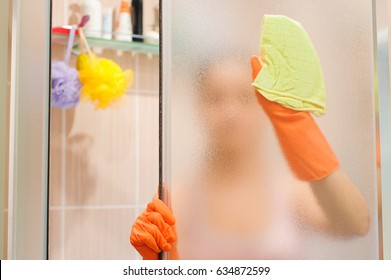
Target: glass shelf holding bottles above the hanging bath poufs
140,47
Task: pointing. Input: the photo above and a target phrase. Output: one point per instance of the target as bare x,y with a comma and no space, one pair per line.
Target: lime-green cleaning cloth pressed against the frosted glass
291,73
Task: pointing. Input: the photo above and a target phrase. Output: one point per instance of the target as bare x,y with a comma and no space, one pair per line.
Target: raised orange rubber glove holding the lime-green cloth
306,149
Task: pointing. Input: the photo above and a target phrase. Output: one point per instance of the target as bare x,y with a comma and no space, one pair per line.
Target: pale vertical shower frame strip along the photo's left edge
25,127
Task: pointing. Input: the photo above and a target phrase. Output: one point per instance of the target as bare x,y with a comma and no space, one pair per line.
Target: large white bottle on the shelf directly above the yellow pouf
93,8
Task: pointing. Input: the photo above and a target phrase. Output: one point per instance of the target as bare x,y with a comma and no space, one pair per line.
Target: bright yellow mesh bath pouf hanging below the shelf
104,82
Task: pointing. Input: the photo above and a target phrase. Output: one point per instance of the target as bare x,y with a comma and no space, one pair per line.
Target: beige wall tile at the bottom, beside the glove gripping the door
98,234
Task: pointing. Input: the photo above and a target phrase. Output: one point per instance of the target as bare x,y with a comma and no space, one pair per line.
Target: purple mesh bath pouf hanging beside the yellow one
65,85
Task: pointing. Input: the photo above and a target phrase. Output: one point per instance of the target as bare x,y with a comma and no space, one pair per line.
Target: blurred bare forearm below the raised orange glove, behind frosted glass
334,205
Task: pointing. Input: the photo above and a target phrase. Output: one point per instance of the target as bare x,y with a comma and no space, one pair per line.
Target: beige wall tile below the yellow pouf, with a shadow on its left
100,155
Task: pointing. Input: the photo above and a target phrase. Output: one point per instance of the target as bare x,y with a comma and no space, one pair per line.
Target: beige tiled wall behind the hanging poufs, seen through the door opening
103,162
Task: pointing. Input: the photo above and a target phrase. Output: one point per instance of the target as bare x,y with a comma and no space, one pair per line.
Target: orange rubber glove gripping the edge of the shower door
153,230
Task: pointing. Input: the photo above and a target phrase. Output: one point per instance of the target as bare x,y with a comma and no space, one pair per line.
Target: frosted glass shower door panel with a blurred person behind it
230,186
